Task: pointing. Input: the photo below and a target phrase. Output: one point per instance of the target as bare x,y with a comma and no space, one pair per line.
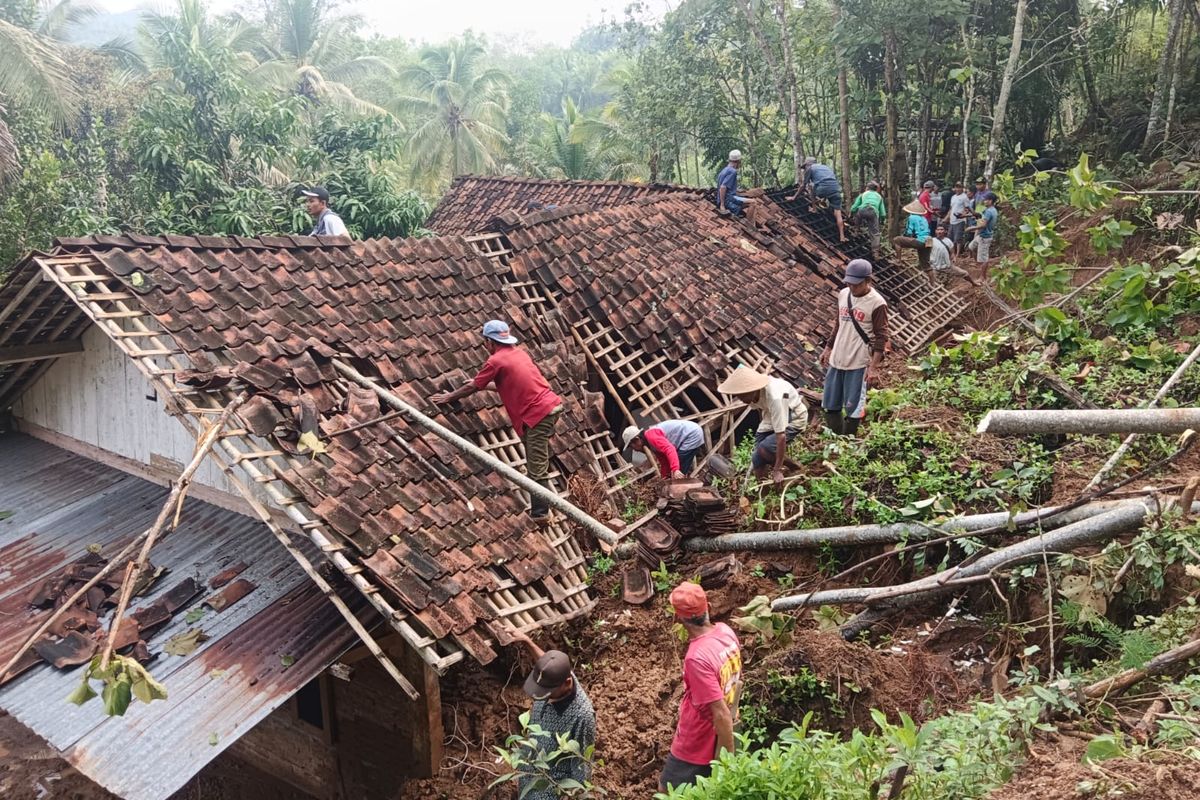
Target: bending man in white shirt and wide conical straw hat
783,414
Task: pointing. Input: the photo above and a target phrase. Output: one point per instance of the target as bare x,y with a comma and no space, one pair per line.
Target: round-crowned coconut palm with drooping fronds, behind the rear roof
458,110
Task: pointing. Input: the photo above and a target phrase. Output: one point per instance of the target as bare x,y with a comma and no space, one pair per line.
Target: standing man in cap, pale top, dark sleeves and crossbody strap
855,351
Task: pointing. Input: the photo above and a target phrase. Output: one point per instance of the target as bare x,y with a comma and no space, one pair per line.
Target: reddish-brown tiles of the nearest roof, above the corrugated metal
273,312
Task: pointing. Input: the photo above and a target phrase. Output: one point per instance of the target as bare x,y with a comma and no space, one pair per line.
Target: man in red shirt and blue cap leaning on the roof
527,398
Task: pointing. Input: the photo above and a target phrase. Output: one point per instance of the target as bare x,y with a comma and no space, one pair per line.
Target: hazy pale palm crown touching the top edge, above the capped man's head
313,55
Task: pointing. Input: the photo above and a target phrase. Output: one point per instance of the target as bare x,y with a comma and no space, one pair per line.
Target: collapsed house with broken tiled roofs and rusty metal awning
635,302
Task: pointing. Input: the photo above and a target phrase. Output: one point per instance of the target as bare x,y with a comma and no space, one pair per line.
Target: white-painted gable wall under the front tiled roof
101,399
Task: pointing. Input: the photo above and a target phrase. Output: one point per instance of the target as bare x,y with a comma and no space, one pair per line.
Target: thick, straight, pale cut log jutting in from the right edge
1137,420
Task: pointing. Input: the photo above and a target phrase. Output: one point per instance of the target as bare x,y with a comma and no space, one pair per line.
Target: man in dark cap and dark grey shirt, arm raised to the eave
561,707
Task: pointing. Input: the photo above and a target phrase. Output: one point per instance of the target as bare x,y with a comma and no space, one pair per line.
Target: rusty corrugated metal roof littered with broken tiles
63,503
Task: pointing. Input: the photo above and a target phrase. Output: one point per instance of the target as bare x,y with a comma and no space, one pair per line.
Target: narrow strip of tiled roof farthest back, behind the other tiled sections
475,201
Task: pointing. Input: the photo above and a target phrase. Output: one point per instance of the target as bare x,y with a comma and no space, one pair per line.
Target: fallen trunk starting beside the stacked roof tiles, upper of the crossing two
901,532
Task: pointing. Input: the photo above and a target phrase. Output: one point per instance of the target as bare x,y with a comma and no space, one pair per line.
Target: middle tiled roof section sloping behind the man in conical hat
673,278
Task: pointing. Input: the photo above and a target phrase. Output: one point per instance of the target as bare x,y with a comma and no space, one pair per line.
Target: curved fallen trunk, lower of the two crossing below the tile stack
1114,522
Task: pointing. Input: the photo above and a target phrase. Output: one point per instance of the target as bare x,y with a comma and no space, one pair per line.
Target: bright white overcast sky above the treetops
553,22
